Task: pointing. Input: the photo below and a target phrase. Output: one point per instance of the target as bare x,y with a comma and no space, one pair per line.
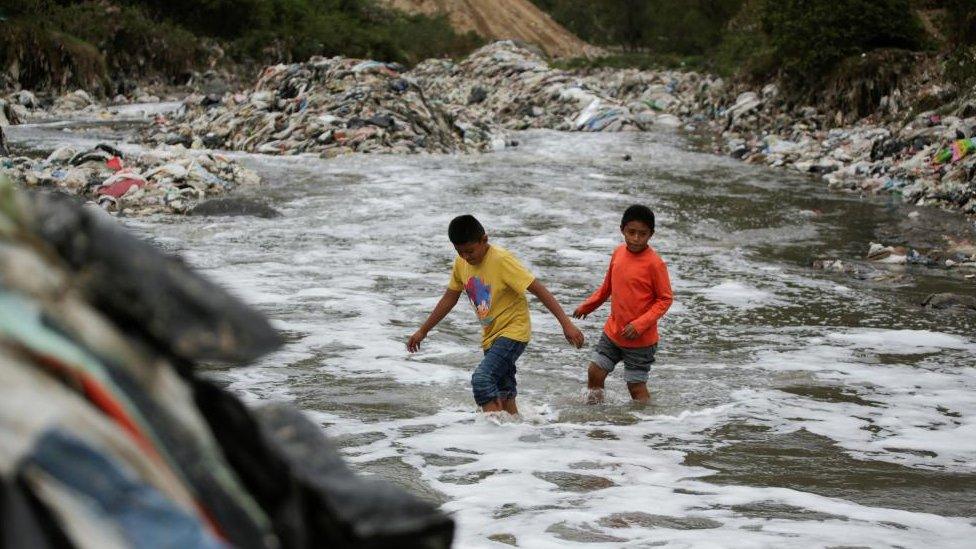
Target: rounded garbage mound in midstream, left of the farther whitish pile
325,106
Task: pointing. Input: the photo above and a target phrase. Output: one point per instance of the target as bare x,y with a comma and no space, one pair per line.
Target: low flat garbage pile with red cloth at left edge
162,180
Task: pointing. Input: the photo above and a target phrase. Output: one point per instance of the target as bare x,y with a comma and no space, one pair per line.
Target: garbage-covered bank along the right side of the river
927,159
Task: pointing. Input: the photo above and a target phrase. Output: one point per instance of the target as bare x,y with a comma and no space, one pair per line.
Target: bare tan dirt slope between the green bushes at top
503,19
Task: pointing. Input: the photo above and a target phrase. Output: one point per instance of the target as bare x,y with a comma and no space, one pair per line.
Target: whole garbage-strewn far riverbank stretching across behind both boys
337,106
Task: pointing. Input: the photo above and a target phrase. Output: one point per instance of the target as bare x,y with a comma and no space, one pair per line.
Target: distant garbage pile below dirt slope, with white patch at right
508,84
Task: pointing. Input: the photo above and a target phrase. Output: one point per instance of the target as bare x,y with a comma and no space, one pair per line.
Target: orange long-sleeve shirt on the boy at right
640,293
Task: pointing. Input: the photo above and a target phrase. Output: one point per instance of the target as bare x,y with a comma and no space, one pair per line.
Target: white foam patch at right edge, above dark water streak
924,411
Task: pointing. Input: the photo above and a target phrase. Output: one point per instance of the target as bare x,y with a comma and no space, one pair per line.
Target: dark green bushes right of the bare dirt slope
802,40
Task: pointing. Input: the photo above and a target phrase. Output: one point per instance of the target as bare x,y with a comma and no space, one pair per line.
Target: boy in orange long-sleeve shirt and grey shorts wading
639,289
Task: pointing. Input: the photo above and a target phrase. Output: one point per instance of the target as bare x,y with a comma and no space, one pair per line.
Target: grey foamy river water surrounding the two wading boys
790,407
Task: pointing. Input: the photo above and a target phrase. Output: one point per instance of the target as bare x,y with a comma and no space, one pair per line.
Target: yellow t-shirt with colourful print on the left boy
496,289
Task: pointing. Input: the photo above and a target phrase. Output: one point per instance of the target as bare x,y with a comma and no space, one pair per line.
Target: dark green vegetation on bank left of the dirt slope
61,44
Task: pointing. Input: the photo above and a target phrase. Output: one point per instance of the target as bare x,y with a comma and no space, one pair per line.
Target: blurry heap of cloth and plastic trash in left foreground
112,438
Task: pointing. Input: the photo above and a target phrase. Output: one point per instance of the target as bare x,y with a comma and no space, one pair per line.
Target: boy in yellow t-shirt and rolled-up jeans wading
495,283
